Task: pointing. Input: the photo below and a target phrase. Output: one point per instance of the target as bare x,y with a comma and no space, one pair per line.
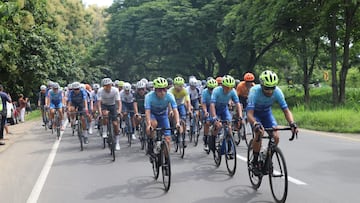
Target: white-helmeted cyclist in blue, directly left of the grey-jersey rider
77,101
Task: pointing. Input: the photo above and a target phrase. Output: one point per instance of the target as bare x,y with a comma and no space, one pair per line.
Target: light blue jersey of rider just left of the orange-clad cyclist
221,100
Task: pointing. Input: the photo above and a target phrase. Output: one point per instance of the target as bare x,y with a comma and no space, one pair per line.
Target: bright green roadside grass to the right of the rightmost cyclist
332,120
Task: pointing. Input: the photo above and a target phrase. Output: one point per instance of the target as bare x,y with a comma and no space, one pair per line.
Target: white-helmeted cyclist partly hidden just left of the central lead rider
139,100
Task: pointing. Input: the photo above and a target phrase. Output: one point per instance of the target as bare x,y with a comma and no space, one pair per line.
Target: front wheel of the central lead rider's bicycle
165,166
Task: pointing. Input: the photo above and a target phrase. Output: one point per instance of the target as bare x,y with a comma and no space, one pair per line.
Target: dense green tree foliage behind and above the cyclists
64,41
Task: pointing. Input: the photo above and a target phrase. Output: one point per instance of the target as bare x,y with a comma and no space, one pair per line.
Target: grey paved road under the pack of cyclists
323,168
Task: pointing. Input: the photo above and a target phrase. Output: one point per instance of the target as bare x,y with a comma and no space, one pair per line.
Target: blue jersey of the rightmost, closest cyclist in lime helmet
257,101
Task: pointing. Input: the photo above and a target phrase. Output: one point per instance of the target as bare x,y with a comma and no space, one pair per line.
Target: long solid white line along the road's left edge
35,193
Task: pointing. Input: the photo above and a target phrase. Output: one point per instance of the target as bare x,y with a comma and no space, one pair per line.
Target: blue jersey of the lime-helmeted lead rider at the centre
158,106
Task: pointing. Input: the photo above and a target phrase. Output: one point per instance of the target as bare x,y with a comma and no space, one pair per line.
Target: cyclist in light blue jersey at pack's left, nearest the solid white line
55,101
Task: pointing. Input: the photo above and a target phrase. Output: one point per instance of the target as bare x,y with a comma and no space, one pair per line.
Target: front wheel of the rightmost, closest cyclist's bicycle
278,175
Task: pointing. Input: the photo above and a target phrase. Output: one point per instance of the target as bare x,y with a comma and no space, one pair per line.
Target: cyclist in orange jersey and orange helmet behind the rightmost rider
243,88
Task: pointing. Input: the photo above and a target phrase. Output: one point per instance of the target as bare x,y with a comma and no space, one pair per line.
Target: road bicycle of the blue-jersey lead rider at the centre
160,157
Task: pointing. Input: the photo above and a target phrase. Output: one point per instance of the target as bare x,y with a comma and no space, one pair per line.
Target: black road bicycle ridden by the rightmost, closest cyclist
271,162
